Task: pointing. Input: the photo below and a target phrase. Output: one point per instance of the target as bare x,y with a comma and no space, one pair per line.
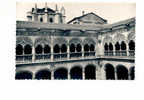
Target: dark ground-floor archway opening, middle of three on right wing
122,72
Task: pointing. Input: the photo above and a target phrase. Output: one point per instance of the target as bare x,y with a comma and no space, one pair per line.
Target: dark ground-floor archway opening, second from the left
43,74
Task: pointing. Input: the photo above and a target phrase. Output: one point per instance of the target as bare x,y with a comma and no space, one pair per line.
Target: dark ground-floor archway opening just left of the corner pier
90,72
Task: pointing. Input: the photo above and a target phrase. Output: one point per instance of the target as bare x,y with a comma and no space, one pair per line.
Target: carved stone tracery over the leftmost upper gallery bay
23,41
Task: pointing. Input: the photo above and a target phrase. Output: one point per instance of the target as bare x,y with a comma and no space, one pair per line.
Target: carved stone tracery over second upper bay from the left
42,41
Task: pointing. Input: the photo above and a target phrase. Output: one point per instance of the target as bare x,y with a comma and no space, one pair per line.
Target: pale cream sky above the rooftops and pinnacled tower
113,12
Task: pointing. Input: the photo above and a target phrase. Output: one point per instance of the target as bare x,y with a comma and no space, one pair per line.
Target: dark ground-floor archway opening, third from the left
61,73
